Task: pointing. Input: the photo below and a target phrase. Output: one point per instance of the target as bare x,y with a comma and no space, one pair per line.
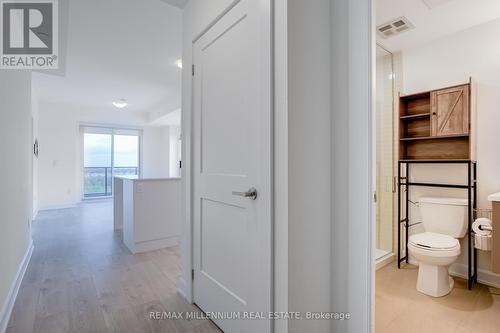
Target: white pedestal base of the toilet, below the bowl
434,280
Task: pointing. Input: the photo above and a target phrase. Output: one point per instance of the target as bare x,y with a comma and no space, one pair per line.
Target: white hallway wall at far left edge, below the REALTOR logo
15,176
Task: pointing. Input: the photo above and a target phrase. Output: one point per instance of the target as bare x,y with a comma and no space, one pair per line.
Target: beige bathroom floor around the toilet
399,307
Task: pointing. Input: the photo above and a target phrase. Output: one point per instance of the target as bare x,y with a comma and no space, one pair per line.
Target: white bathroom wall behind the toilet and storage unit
474,52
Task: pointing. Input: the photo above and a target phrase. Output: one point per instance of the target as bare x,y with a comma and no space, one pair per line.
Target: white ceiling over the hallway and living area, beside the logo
119,49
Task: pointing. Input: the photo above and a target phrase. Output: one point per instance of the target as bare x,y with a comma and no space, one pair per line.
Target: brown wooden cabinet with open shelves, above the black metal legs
435,125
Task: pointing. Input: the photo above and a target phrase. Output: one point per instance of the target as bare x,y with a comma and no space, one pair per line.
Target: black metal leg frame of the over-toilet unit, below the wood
471,187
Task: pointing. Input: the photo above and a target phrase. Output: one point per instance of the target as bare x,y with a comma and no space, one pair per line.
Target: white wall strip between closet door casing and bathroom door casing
309,162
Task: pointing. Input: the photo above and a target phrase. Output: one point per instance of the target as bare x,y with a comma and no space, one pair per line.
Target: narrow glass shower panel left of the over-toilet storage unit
384,117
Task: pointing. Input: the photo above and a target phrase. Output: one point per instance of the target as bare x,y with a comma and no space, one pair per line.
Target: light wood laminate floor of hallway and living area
82,279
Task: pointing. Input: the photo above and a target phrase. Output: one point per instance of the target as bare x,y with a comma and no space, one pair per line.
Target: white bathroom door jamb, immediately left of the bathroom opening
361,268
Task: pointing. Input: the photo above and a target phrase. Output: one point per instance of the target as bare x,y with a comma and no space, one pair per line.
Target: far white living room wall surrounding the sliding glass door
60,149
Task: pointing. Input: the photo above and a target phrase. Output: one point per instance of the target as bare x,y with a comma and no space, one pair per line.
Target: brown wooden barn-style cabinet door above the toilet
450,111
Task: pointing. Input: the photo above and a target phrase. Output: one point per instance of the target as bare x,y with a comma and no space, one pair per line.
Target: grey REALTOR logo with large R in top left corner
29,34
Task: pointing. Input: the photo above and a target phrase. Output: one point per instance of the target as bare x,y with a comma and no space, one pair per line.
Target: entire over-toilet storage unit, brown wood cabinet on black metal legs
438,127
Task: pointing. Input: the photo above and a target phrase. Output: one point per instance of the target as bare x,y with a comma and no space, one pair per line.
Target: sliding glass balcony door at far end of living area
108,152
